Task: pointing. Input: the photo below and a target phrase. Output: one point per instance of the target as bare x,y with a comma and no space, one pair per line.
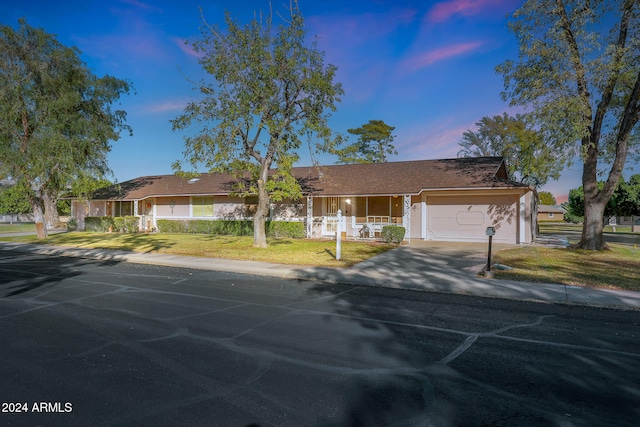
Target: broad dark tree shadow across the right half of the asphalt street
438,369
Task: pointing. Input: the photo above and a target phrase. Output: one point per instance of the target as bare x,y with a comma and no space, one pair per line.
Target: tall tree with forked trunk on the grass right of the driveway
578,72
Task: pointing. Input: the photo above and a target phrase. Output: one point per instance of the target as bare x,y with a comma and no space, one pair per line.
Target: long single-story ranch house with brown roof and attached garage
447,200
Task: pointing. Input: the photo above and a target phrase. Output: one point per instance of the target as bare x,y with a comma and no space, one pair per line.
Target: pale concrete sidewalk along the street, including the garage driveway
425,266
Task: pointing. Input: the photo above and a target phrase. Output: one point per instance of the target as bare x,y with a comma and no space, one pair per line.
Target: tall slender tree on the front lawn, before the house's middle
268,90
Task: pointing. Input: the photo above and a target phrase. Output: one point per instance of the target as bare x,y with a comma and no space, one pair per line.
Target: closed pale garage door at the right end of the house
466,218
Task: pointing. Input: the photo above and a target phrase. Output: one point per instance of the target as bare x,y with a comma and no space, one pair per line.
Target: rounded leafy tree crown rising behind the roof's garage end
528,158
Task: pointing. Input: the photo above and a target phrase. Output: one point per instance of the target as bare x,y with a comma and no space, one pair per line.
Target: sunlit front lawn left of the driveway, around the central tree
283,251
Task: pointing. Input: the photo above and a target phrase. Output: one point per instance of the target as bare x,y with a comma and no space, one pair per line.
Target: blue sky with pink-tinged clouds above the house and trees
425,67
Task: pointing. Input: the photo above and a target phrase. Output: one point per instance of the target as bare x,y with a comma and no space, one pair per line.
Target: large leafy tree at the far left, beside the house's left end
56,120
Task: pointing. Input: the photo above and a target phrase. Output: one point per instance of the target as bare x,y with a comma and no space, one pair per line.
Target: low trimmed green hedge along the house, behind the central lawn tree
230,228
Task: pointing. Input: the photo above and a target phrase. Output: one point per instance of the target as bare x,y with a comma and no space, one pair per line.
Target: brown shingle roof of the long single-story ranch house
390,178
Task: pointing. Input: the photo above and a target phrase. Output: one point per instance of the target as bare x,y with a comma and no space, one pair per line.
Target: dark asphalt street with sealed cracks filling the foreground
89,342
